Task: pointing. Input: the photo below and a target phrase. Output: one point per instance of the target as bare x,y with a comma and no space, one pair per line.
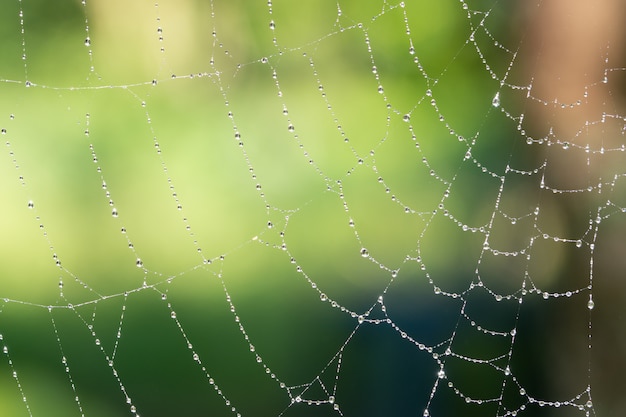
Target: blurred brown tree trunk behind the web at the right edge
574,55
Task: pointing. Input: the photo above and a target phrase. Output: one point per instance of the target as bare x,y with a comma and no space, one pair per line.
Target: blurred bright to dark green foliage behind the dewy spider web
168,143
